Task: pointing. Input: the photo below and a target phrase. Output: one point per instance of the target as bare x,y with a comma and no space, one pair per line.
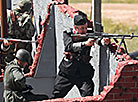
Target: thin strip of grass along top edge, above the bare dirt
105,1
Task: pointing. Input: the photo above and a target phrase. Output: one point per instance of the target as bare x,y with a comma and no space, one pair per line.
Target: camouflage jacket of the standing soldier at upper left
21,27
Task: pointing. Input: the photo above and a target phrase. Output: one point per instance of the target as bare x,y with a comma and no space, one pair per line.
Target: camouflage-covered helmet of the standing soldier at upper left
25,5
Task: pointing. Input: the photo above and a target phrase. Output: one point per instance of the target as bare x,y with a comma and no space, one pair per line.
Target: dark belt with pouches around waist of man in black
71,56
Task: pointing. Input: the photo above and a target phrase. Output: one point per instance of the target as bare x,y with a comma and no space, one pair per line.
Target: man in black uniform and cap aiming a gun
75,68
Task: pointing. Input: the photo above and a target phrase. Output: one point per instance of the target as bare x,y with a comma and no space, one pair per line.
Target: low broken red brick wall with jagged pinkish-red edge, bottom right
122,88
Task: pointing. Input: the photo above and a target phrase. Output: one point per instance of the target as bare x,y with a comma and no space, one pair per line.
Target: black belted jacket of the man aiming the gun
75,66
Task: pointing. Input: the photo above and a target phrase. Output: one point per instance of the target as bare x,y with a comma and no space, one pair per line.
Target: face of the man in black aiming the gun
81,29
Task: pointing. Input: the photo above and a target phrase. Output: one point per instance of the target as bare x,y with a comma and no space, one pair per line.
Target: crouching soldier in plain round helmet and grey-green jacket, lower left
15,87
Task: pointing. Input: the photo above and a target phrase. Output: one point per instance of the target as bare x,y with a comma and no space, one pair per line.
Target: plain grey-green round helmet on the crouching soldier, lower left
23,55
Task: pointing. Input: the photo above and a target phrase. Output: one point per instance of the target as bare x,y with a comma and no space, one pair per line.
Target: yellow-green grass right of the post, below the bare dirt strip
111,27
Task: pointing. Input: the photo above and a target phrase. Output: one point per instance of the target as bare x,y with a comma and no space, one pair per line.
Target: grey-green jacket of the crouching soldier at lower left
14,83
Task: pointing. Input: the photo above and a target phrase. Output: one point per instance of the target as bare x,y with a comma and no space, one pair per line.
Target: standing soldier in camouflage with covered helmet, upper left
20,24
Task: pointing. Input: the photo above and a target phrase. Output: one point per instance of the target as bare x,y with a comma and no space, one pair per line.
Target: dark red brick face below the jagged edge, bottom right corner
126,88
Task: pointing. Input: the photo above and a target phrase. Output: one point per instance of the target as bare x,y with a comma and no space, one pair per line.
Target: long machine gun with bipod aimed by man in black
101,35
